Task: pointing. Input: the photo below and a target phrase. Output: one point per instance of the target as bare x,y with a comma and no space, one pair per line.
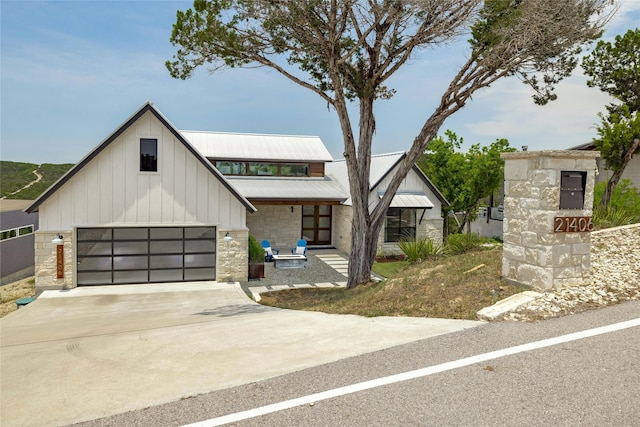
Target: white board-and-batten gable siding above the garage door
111,191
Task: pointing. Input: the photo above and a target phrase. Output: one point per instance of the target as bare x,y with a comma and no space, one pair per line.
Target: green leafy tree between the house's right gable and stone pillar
464,178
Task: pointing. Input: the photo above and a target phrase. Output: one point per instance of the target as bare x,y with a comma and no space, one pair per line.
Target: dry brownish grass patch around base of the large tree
443,288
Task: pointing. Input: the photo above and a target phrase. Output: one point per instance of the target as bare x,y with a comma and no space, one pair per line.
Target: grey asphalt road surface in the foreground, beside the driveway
591,381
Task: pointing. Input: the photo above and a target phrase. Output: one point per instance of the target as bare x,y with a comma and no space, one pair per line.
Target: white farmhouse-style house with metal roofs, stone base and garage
153,204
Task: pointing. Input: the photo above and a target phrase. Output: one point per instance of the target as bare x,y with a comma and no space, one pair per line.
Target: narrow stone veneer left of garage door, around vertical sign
45,260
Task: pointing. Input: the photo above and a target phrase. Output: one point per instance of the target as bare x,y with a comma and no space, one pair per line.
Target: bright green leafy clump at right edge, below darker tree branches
616,134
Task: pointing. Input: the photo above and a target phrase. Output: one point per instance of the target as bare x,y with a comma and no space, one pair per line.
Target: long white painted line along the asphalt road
379,382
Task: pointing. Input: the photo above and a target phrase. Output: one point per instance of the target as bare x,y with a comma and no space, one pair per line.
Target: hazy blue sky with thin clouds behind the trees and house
71,72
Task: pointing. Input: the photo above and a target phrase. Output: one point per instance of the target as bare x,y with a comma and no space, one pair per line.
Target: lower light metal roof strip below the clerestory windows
289,188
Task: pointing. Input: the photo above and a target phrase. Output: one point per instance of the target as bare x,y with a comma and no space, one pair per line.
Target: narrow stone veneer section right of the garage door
233,256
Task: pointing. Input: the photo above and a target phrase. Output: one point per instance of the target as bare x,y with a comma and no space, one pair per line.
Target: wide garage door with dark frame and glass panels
122,255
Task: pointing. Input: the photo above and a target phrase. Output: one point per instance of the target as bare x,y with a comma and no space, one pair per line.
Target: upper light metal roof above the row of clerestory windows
245,146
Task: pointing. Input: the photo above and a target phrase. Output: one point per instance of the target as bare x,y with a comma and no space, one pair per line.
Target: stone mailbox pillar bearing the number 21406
548,202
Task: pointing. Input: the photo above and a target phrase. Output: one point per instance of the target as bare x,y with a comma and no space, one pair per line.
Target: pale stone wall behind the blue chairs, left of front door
277,224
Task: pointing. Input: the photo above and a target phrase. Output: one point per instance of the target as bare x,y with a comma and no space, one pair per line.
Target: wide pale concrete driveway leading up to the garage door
87,353
